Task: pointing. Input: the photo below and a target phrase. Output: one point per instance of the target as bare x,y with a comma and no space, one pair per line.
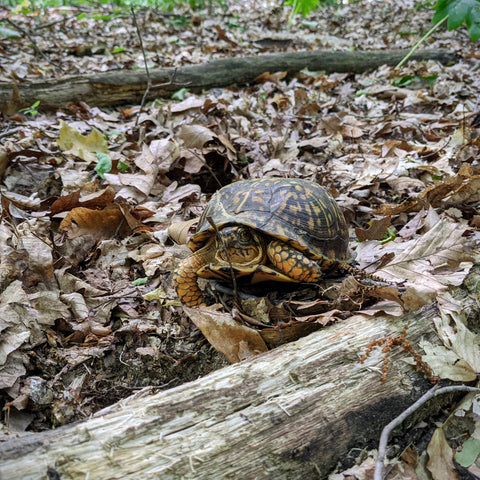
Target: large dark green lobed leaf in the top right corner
459,12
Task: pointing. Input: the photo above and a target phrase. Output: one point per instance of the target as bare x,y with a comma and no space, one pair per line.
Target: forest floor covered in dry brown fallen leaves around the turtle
88,313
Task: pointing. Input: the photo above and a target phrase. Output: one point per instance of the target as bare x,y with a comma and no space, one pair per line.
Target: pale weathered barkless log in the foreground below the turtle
291,413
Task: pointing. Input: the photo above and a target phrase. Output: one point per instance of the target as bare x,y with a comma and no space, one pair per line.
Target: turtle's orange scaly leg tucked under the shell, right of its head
293,263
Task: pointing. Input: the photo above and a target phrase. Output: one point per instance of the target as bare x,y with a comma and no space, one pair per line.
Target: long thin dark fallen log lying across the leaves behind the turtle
121,86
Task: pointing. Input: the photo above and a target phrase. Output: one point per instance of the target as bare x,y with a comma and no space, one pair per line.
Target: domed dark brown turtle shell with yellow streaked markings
300,213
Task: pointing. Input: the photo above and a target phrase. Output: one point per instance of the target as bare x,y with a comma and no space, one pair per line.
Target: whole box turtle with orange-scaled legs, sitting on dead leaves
280,229
